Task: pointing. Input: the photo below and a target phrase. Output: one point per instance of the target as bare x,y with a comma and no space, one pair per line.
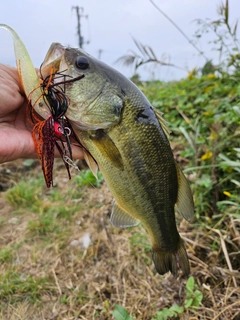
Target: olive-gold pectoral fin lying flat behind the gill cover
108,149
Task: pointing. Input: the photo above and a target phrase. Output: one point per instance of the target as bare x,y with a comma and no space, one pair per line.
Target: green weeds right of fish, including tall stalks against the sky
203,112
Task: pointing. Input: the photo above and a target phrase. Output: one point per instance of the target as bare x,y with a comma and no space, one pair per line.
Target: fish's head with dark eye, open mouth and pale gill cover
95,101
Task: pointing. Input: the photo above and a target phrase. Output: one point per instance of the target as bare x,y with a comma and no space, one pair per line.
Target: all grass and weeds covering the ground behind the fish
61,259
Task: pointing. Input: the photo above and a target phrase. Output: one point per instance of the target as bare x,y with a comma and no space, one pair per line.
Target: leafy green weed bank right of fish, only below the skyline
203,115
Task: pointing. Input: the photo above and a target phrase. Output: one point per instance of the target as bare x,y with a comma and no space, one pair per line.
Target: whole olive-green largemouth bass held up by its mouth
128,140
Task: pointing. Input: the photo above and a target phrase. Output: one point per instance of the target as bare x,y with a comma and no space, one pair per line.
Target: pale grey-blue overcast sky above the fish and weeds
110,27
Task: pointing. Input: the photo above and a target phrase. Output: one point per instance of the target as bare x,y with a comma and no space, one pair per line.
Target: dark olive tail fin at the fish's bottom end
170,261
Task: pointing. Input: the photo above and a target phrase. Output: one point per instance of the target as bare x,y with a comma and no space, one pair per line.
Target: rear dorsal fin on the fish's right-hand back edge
185,205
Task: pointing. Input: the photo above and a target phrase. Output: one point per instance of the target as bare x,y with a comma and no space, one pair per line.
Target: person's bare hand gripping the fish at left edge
15,130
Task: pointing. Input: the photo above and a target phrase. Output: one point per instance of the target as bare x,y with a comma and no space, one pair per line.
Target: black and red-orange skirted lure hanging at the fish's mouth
56,130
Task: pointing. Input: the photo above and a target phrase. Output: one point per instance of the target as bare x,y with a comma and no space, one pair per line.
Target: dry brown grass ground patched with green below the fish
47,273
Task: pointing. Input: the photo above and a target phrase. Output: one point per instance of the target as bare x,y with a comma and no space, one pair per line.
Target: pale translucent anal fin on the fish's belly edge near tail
121,219
